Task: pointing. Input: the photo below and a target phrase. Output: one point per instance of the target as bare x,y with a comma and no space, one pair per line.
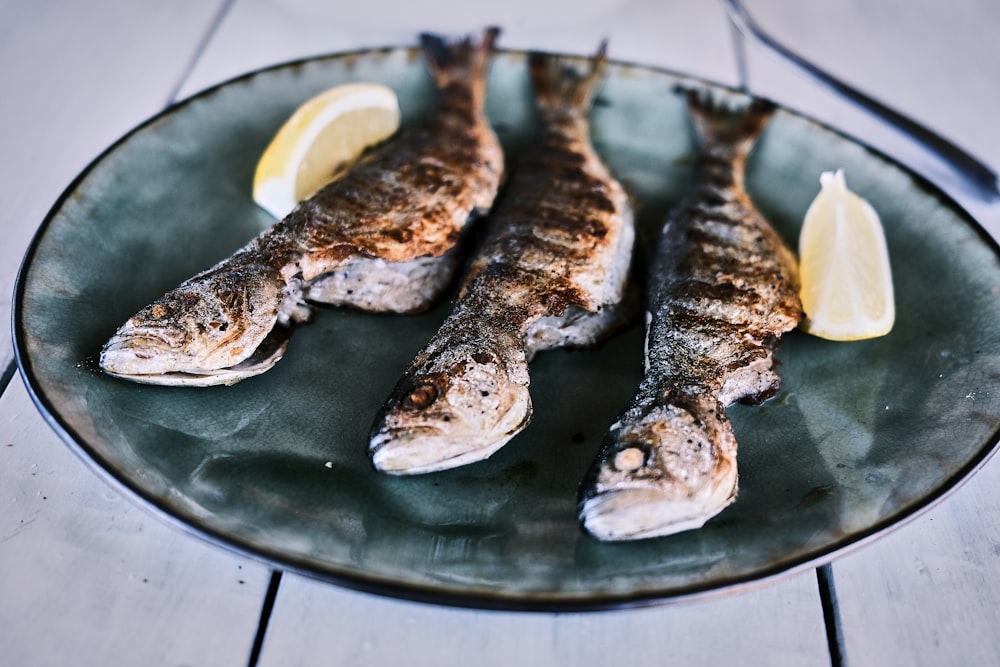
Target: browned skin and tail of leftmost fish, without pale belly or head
410,197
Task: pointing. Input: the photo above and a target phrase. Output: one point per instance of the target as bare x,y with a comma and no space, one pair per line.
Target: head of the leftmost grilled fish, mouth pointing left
193,329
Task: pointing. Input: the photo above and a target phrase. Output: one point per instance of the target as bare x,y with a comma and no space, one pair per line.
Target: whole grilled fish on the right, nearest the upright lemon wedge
722,289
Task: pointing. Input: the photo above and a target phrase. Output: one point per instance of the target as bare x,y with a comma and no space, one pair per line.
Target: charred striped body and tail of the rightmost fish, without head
727,286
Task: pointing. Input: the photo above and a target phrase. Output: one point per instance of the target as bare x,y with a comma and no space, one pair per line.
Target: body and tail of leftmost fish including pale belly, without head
383,236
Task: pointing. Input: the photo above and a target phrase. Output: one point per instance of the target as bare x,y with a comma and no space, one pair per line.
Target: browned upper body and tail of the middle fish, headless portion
562,215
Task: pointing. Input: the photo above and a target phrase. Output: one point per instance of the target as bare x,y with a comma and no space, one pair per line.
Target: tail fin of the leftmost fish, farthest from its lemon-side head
463,61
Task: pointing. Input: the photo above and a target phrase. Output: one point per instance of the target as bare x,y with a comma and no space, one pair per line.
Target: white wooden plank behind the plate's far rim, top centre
688,36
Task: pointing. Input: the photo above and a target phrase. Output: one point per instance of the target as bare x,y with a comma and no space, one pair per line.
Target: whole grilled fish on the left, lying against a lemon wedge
380,237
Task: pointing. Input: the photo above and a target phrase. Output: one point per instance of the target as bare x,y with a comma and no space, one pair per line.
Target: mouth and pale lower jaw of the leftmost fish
133,358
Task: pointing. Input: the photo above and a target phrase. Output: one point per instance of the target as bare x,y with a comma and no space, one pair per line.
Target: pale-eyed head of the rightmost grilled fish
664,468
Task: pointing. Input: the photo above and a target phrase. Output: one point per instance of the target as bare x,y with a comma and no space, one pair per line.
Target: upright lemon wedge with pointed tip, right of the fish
844,266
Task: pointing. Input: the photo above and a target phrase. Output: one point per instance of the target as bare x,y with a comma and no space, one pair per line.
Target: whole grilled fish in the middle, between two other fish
551,271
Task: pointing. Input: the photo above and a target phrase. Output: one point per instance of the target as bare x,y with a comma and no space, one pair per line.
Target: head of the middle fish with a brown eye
443,416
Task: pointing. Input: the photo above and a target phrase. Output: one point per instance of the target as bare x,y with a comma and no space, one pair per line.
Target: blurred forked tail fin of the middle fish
559,86
